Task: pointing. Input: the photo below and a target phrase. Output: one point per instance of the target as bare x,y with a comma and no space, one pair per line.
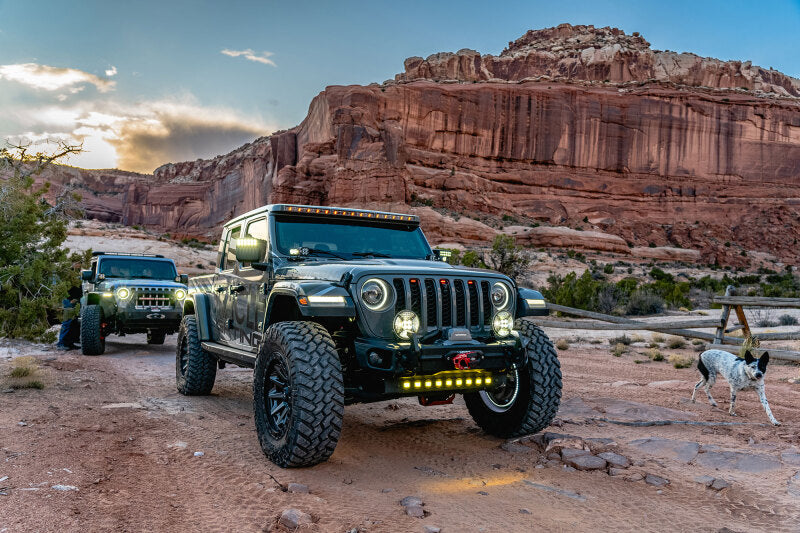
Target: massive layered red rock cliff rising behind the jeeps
668,152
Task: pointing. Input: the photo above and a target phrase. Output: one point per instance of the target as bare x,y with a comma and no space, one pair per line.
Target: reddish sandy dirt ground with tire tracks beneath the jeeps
109,445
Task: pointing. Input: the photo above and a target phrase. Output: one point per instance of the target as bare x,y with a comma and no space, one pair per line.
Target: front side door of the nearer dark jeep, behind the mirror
248,293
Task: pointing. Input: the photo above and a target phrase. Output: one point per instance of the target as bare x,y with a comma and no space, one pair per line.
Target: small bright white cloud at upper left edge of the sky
53,78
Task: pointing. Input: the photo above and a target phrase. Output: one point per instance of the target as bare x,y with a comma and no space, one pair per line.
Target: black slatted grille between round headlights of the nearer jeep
445,302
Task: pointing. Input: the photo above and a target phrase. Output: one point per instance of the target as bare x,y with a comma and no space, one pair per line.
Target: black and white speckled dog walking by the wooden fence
740,373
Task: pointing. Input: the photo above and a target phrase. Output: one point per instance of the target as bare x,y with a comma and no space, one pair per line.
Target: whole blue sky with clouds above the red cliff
145,83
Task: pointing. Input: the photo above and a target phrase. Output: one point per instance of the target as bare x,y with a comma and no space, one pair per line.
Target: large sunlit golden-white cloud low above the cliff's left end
144,136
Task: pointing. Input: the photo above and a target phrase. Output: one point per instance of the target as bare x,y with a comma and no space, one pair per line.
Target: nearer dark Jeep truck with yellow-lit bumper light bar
335,305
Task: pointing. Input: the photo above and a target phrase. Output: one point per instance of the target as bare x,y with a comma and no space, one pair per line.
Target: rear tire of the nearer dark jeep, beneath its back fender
195,368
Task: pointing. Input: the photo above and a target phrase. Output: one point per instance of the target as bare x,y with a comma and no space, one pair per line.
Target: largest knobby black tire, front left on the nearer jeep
315,394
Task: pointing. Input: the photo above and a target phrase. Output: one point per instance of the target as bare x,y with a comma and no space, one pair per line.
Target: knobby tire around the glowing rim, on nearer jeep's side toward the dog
539,394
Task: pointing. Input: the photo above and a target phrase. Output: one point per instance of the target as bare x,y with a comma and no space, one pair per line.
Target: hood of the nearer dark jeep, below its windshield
327,270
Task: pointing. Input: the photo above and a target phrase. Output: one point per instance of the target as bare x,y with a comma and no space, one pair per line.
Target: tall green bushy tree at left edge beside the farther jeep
35,271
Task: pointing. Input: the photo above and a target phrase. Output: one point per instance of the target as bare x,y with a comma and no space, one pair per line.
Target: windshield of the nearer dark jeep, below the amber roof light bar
348,240
